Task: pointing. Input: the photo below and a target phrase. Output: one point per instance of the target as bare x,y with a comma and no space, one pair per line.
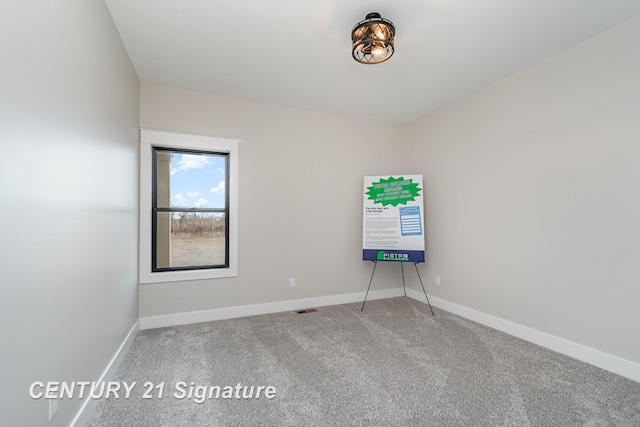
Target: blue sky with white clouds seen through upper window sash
197,181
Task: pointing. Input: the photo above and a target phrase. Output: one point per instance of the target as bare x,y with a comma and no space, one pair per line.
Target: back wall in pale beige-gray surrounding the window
300,198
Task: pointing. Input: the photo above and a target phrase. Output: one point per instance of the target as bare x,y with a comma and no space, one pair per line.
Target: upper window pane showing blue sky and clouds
190,180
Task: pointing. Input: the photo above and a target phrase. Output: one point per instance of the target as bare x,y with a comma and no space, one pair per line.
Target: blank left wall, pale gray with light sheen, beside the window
69,112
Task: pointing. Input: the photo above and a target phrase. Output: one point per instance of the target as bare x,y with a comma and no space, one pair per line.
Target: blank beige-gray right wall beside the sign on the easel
532,193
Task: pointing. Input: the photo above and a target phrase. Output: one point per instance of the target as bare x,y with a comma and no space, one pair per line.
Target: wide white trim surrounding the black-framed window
154,138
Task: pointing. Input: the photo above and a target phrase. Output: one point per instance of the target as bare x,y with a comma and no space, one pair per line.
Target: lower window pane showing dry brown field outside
191,240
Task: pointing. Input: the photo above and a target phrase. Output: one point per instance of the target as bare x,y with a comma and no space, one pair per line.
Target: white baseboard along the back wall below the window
152,322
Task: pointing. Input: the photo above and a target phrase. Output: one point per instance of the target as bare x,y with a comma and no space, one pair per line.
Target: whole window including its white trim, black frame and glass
188,207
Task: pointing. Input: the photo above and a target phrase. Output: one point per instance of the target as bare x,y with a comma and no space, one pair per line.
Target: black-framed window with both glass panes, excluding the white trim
189,210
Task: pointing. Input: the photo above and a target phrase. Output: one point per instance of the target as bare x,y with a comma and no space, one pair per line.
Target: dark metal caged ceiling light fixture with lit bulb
373,39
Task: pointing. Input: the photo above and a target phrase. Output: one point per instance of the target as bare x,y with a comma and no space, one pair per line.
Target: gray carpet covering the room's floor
392,365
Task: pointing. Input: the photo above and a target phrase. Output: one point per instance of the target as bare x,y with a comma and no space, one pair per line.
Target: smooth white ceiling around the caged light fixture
297,52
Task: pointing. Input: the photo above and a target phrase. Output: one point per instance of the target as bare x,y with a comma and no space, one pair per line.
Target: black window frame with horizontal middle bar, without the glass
155,209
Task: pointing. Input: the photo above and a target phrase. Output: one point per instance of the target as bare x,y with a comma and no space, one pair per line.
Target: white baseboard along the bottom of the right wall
606,361
